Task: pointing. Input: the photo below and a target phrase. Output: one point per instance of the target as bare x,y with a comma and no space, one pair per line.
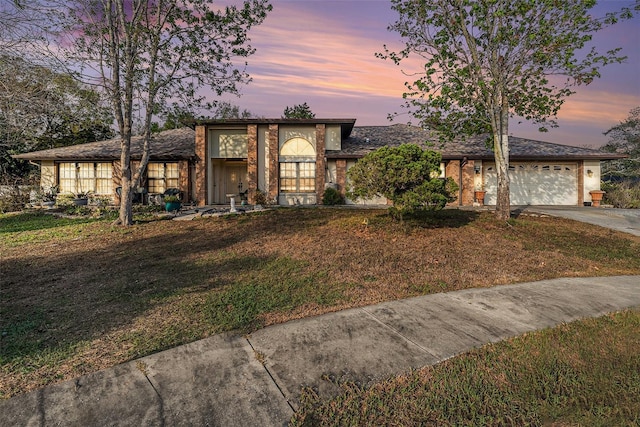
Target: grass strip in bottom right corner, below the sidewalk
585,373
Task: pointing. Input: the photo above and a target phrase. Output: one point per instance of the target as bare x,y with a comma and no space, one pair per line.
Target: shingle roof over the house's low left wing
175,144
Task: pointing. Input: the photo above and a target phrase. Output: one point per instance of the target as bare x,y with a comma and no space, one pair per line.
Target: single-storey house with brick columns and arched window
292,161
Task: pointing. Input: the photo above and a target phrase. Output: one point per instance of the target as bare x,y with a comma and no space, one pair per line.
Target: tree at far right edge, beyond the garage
625,139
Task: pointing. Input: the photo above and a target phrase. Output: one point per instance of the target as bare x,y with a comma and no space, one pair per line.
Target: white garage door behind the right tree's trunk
536,183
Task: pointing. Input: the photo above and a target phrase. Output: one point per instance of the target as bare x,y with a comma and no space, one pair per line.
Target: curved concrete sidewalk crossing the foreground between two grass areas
228,380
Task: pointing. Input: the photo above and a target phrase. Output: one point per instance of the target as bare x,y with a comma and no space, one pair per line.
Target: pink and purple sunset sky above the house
323,53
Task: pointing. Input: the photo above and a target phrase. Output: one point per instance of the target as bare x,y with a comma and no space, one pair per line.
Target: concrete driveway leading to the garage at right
626,220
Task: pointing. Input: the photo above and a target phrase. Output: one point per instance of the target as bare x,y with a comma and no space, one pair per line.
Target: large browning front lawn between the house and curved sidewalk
78,296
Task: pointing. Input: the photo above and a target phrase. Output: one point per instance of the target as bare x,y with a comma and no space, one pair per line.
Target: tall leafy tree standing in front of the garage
487,61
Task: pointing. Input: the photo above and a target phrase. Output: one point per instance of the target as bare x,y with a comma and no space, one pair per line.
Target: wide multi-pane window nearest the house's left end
82,177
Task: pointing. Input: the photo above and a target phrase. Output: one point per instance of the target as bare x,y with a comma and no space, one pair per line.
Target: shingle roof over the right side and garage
365,139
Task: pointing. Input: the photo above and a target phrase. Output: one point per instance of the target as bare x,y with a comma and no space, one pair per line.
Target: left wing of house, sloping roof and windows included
95,166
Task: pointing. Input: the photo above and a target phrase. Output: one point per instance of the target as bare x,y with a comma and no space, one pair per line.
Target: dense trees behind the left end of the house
41,109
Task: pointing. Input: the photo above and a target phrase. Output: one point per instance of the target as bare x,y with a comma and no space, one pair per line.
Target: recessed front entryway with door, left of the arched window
227,177
